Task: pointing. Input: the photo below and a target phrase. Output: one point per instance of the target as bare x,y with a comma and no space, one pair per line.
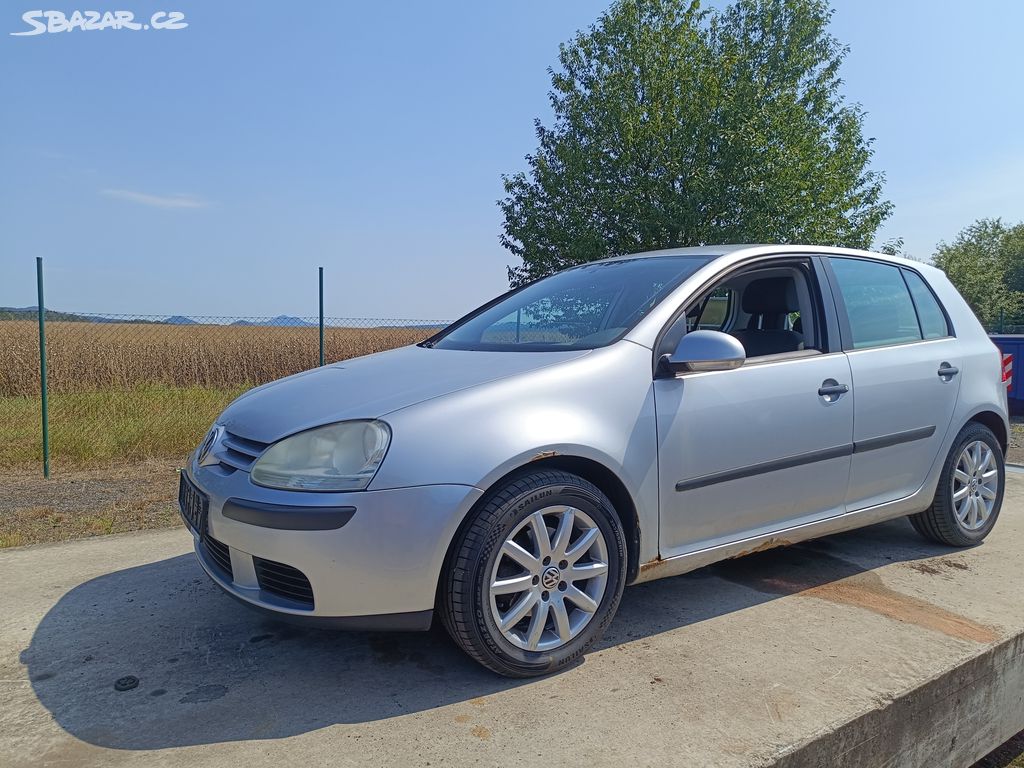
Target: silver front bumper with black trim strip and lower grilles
378,571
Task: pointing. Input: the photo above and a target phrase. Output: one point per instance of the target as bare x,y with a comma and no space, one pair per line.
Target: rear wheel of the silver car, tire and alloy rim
944,522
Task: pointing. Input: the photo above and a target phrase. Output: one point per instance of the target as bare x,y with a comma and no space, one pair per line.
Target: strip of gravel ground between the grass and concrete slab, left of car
76,504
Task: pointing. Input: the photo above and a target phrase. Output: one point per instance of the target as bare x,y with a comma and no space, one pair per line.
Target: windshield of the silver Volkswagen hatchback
584,308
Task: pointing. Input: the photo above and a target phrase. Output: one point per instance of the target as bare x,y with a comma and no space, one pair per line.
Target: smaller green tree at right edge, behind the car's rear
987,265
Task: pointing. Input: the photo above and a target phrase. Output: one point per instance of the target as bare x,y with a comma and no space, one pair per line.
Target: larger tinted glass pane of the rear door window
878,304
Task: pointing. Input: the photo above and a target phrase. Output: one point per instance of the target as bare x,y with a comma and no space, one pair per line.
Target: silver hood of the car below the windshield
372,387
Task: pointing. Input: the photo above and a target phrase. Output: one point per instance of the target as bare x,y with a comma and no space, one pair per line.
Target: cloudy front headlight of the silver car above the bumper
338,457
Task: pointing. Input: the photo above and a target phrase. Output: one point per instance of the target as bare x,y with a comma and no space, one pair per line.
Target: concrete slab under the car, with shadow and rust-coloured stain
867,649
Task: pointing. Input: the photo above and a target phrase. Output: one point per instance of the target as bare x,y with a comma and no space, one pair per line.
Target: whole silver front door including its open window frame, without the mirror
767,446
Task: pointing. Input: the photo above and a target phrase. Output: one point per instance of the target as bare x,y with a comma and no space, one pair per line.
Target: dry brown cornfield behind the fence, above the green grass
91,357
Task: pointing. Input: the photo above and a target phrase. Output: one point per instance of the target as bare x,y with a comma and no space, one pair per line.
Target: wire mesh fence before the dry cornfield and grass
129,388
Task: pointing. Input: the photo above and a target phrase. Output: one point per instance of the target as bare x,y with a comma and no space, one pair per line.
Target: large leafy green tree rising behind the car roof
678,126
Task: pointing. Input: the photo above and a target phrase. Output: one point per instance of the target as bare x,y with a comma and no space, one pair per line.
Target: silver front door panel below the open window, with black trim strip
752,451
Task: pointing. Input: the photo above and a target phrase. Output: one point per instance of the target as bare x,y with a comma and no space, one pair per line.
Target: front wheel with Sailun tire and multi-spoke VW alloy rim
480,564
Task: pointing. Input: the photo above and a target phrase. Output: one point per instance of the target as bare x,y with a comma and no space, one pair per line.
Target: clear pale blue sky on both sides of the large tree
211,170
